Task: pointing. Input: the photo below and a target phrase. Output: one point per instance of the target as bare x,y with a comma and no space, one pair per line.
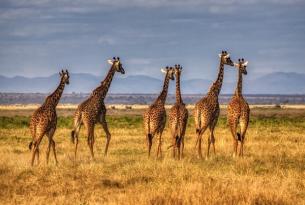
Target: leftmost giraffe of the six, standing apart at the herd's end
44,120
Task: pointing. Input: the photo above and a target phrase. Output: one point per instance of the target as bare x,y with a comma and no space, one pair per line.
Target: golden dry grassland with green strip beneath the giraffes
272,171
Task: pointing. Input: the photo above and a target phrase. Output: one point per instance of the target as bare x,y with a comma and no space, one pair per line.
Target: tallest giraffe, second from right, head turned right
207,110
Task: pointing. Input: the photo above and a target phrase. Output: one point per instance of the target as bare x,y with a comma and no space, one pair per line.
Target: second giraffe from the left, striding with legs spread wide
93,110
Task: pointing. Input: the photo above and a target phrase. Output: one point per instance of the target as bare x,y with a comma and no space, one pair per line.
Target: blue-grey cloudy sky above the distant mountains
38,37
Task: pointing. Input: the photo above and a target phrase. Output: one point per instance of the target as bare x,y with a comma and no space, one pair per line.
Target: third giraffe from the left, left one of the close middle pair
154,117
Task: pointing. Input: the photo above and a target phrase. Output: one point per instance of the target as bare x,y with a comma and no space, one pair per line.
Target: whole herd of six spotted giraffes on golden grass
93,111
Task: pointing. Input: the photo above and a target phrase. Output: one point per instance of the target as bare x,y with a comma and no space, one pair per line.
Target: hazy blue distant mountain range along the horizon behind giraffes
273,83
